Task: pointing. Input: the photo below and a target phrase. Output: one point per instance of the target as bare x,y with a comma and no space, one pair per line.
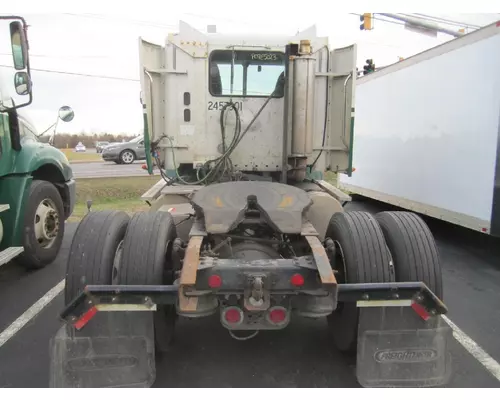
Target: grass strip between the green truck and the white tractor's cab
111,194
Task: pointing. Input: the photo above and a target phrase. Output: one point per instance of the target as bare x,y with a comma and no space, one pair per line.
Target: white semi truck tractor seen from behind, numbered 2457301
243,226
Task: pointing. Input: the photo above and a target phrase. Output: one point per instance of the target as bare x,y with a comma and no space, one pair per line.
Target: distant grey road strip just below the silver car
107,170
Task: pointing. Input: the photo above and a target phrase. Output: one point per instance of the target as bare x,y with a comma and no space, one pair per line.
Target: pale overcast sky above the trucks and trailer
103,43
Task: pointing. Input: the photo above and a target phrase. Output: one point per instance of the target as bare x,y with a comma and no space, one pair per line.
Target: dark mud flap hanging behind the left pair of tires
118,354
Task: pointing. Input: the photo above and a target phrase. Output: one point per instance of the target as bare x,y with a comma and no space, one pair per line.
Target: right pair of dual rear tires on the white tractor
388,247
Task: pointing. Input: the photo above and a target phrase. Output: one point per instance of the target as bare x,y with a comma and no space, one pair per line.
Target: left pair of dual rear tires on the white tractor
109,247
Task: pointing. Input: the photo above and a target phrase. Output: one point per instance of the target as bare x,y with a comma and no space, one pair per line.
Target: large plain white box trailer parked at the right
426,135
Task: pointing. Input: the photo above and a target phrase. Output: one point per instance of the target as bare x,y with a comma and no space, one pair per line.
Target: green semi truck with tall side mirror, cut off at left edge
37,189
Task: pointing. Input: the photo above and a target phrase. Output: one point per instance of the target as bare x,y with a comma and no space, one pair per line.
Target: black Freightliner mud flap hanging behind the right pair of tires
396,348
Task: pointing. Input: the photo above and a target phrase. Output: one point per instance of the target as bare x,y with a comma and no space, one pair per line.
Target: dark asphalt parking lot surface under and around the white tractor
300,356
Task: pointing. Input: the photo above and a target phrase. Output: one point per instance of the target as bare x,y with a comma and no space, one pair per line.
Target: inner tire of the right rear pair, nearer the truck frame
362,257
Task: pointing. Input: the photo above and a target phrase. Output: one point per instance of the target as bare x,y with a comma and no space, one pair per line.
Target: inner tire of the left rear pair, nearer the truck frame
147,260
